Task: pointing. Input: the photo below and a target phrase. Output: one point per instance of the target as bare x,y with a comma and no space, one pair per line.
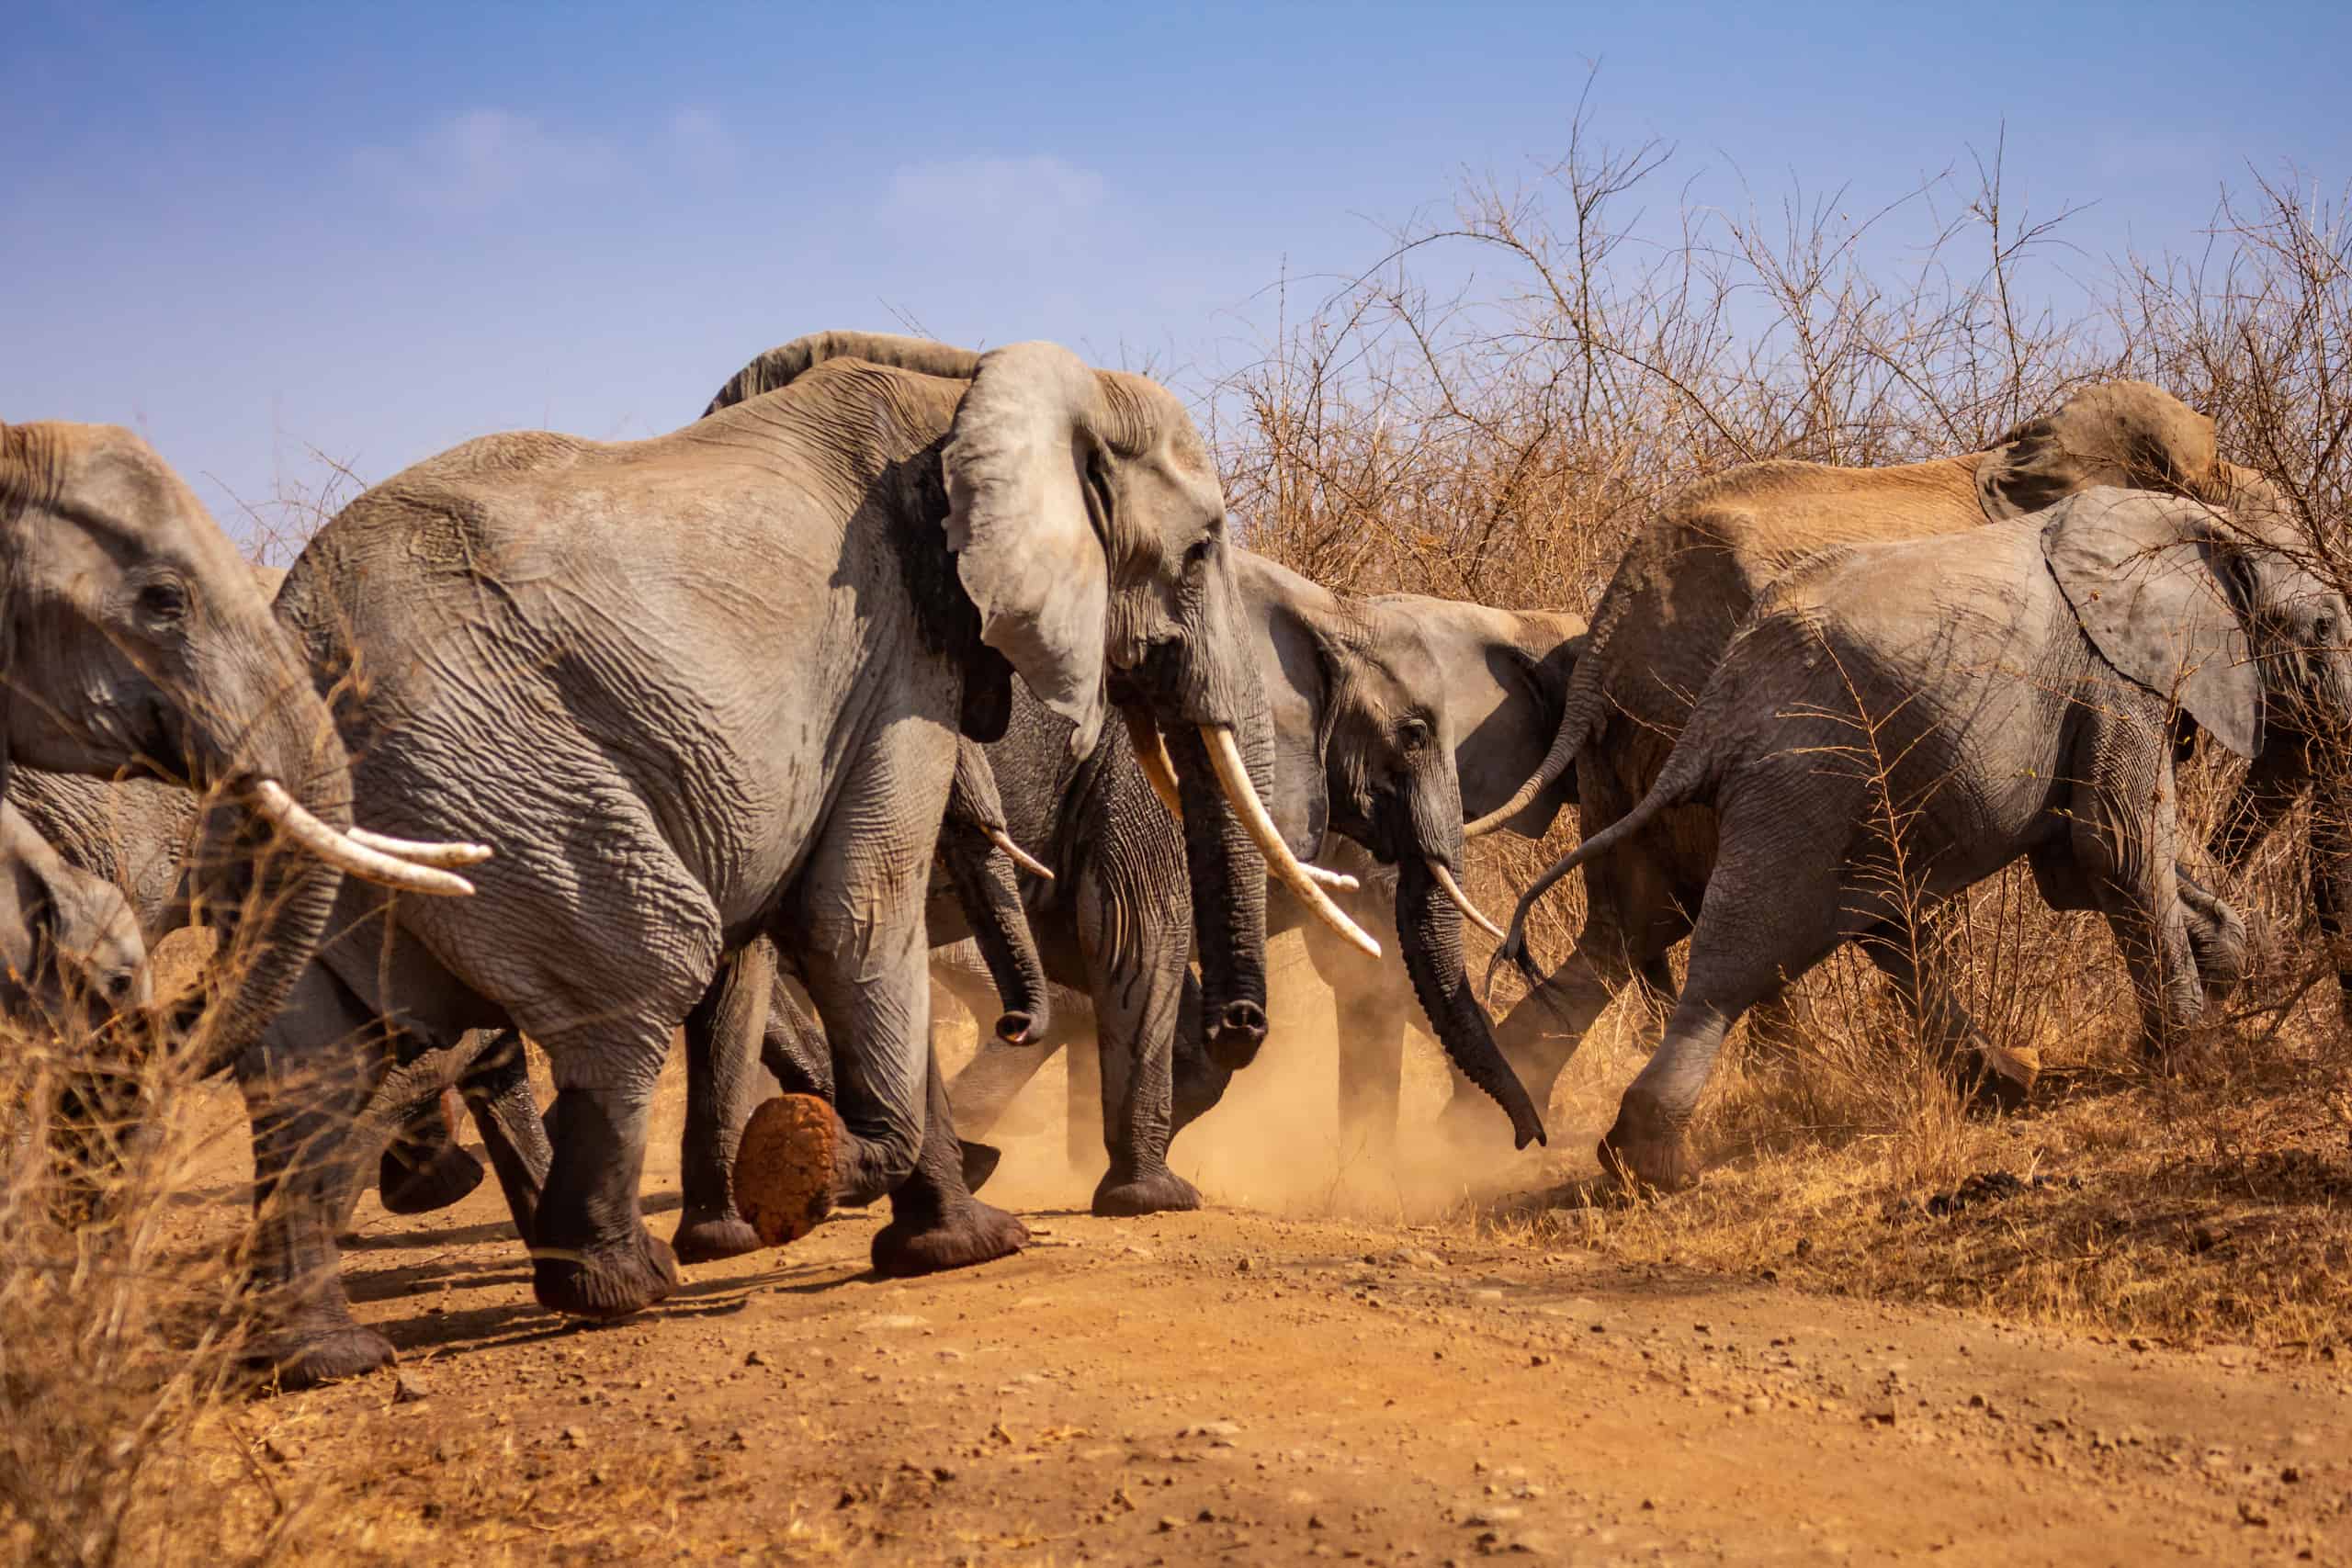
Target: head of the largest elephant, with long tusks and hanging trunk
1090,535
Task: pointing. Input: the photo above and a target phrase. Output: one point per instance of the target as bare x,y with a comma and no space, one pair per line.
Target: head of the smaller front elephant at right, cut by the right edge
2224,615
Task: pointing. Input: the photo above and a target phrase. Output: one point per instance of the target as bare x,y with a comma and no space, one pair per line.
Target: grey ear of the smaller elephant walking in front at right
2156,591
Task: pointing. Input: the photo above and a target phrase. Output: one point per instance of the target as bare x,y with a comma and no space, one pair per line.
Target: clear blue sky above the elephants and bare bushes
260,229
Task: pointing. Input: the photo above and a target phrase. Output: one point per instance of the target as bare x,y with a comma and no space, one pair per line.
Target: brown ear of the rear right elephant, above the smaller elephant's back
2125,434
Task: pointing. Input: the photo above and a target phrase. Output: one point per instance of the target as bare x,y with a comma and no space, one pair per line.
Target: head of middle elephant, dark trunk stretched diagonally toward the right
1365,749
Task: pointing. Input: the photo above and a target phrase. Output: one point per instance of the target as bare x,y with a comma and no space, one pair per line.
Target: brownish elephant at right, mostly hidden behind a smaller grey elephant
1690,579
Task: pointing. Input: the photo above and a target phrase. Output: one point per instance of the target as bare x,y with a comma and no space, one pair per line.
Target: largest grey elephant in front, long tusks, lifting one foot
709,688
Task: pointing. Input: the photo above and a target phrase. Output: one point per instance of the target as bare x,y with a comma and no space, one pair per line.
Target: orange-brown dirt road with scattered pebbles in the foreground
1250,1391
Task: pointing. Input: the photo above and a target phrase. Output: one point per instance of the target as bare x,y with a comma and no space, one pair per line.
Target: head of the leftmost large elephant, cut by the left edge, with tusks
135,638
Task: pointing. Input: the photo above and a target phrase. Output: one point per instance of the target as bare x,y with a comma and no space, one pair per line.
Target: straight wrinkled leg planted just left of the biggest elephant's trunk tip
1135,944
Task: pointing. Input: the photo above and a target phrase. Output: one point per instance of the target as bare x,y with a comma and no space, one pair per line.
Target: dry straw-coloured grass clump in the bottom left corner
123,1433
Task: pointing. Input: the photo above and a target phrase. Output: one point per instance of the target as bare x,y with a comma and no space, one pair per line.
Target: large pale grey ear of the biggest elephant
1022,467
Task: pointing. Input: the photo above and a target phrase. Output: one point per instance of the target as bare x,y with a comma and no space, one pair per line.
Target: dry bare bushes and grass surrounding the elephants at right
1502,441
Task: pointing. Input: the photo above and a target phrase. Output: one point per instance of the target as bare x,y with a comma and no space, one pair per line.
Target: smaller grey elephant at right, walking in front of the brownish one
2017,688
